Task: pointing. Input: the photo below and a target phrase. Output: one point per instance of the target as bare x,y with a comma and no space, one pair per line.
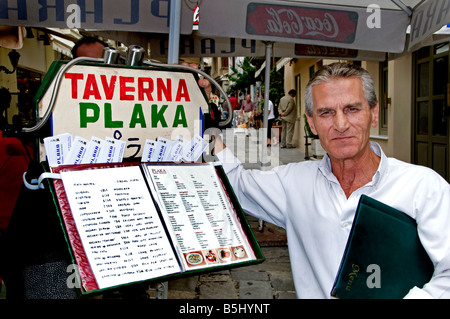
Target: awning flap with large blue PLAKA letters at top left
125,15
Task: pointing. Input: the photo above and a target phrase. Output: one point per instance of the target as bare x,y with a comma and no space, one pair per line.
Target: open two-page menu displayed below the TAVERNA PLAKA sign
129,223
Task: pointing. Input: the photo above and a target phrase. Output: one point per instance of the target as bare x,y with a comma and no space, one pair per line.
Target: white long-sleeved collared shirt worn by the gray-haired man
307,200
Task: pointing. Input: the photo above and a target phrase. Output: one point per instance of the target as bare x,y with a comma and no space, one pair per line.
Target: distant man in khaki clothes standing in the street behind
288,113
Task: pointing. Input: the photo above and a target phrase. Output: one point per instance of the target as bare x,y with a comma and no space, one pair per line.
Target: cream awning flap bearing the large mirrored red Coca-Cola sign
358,25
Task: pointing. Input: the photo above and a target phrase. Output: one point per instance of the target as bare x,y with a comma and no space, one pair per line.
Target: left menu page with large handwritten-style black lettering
120,228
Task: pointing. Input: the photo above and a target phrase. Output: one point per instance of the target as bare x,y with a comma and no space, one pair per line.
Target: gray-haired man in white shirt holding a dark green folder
315,201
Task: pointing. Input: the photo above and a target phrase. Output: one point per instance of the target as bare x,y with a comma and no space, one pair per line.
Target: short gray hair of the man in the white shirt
340,70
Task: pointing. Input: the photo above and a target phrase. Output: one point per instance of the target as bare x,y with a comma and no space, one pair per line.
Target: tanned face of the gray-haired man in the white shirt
342,118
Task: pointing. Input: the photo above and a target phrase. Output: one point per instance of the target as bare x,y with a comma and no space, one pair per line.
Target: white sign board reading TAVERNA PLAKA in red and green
128,104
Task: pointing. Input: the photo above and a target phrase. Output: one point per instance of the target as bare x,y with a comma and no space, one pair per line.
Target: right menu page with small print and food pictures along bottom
202,221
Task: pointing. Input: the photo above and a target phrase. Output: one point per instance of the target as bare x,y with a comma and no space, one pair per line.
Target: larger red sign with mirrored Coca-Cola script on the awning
301,22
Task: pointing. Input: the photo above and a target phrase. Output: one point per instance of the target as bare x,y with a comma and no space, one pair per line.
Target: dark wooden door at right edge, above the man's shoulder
431,108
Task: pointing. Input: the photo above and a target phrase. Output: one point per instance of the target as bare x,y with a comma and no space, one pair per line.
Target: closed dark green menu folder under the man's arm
383,247
